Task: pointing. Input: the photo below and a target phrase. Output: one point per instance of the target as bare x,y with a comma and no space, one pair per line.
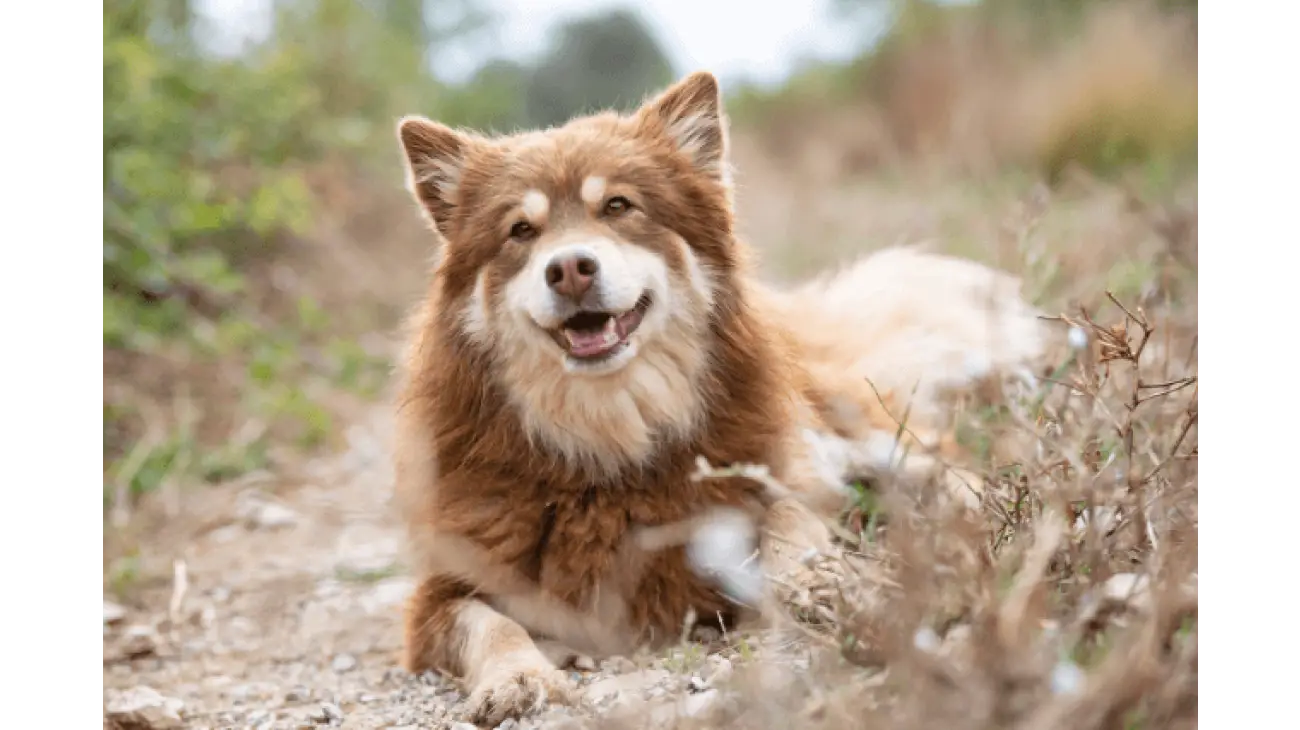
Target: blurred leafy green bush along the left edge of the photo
207,179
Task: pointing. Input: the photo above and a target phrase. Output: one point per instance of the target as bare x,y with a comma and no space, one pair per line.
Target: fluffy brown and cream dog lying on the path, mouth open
592,332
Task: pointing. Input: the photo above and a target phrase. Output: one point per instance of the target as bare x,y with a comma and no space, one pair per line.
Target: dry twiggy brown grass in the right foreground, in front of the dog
1068,599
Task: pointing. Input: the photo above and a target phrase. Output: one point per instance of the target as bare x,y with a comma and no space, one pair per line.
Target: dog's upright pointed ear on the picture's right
691,116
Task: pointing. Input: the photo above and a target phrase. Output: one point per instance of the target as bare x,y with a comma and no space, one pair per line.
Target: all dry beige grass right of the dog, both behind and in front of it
1071,597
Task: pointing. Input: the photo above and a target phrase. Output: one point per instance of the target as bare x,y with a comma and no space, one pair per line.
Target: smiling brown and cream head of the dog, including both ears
586,247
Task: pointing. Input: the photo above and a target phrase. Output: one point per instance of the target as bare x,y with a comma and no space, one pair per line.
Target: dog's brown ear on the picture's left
436,158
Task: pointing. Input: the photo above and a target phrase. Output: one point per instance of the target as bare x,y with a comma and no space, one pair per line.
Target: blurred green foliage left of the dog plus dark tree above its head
214,171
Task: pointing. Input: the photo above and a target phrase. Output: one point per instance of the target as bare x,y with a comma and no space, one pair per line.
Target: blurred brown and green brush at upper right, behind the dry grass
1103,85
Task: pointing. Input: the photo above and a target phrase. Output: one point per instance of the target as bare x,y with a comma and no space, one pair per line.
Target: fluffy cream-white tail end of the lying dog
917,323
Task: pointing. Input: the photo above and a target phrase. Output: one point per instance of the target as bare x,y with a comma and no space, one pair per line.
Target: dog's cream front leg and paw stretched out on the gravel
505,672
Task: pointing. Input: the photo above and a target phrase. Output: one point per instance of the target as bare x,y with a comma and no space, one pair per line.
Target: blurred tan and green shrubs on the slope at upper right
967,90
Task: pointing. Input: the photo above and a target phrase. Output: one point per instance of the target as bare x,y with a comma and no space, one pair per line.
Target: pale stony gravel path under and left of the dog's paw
280,609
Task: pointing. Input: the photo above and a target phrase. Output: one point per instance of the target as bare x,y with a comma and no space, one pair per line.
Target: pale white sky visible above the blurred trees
733,38
